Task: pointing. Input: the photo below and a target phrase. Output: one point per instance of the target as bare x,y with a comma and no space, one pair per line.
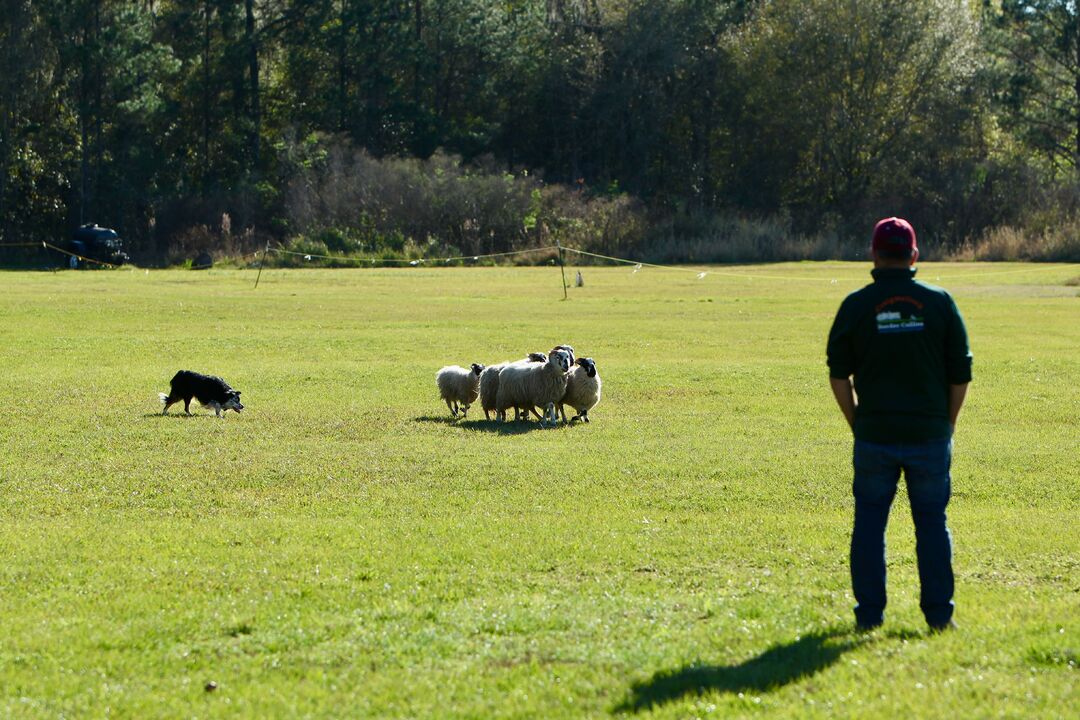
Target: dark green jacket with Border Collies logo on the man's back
906,344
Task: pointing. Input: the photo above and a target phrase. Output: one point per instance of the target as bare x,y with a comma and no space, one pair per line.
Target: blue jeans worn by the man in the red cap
926,469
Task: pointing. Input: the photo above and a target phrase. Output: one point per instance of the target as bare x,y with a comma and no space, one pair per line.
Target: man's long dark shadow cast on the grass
778,667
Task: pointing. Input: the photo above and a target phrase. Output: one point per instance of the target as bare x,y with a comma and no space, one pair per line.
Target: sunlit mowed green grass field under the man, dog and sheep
344,550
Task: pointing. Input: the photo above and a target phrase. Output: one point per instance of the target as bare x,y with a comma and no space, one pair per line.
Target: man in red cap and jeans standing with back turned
907,348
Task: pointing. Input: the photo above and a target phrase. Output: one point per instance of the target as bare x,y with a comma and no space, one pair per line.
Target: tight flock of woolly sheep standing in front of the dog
550,382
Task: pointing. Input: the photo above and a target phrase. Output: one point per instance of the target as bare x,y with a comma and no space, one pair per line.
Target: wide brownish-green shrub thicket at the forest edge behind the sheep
443,208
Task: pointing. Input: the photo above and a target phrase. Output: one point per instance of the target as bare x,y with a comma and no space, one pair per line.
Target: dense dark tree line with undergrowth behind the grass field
680,129
